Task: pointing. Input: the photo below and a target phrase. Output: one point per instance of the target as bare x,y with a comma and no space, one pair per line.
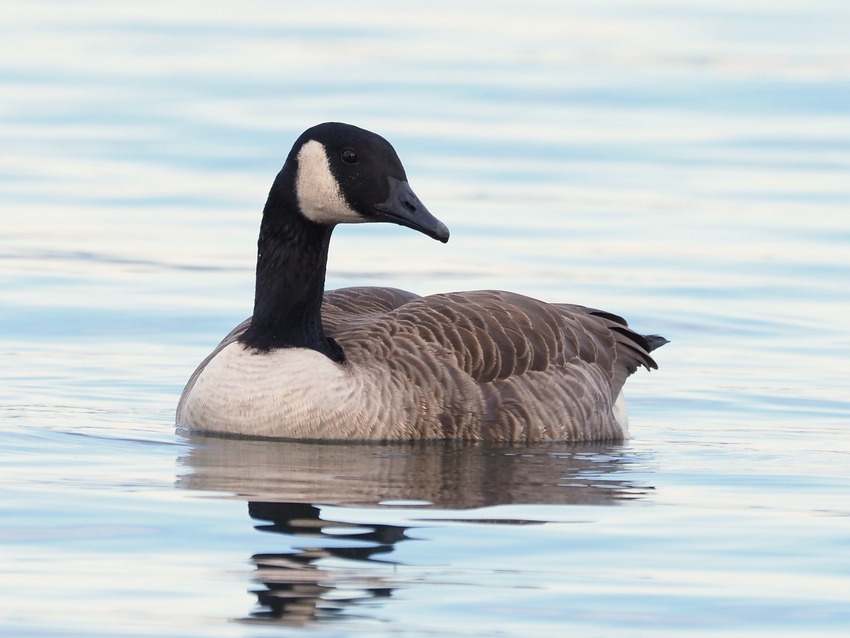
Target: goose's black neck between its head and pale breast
292,258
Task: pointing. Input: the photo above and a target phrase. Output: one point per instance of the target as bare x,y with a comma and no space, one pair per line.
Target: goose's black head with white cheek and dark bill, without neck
345,174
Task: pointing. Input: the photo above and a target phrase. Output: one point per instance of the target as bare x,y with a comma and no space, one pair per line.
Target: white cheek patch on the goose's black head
318,192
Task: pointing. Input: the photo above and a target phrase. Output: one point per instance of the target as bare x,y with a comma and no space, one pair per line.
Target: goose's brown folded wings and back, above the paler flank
492,335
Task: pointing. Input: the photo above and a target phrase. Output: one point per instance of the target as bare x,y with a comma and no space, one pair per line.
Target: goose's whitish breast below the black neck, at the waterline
287,393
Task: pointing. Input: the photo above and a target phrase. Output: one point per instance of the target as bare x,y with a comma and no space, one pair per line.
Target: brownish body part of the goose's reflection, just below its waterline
444,474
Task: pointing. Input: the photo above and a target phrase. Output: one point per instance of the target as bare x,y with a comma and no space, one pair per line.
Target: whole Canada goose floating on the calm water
385,364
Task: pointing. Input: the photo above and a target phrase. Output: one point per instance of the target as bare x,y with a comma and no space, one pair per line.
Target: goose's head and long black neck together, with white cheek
334,174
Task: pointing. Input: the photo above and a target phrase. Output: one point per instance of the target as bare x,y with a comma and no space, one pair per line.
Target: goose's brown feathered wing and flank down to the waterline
510,367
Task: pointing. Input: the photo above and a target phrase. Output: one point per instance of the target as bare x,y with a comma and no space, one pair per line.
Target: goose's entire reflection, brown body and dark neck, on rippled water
331,565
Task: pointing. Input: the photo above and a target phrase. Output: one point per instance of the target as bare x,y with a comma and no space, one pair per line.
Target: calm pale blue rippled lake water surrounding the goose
686,165
